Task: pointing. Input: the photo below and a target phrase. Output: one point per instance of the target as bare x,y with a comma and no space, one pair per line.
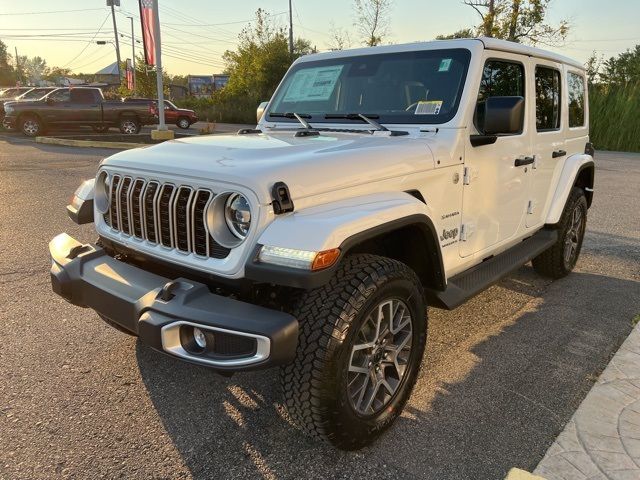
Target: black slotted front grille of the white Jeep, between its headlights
163,214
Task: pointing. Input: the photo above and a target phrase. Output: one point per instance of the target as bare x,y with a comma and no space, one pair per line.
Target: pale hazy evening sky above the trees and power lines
195,33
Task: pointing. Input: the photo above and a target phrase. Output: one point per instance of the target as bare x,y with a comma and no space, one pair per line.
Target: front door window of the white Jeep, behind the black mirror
500,78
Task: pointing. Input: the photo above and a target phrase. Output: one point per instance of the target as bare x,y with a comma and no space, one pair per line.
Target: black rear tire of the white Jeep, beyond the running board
553,262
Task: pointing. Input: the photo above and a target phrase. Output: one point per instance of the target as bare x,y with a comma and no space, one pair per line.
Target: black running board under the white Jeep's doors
471,282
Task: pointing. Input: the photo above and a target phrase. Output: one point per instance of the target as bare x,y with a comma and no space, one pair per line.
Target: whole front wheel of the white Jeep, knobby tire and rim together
361,342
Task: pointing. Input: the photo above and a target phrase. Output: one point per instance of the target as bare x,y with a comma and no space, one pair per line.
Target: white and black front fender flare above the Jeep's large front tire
344,224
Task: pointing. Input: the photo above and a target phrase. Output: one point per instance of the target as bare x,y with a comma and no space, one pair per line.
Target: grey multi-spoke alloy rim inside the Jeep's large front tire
380,357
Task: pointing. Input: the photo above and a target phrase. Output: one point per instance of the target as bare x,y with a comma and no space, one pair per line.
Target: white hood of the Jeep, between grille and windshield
308,165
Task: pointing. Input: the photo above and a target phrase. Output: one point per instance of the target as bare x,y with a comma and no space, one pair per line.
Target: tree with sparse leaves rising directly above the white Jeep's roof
521,21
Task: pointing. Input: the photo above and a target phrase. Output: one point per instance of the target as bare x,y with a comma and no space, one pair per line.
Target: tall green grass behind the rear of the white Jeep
614,113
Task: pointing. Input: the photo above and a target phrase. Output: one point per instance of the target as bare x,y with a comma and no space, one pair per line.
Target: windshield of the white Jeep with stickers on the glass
405,87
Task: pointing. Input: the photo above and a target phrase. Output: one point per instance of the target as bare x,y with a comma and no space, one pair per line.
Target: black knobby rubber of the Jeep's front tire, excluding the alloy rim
315,384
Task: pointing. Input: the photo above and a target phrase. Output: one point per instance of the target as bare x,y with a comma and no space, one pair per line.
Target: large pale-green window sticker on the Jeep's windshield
313,84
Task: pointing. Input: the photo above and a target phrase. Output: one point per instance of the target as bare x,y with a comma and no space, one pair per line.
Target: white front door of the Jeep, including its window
495,190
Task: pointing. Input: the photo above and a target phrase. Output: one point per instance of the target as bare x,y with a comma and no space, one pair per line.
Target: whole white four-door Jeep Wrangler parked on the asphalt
377,181
